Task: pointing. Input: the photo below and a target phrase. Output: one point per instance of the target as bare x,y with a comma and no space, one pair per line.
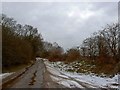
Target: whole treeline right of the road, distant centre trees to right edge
102,46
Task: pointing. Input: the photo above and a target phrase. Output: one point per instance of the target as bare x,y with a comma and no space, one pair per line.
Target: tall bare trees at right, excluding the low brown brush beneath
103,45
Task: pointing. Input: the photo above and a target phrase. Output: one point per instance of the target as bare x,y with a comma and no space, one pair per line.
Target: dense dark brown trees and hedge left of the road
20,44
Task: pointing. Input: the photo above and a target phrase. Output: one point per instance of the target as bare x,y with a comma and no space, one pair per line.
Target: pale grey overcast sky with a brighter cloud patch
66,23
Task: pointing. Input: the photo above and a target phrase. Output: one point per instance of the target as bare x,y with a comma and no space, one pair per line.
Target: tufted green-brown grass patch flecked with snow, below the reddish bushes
76,66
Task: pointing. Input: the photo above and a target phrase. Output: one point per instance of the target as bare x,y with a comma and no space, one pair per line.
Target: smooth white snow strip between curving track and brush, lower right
95,80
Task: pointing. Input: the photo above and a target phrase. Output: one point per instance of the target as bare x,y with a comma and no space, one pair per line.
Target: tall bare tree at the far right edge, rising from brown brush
110,35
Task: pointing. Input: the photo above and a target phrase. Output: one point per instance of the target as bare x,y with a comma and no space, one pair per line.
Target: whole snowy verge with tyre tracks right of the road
79,80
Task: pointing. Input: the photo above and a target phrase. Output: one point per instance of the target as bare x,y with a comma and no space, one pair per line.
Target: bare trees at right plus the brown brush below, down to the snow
103,50
